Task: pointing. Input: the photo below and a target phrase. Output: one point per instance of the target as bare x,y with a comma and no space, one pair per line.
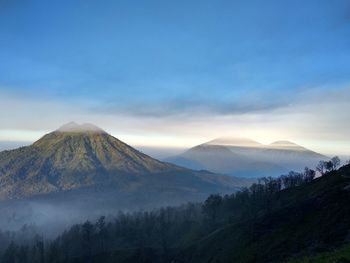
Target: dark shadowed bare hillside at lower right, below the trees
300,221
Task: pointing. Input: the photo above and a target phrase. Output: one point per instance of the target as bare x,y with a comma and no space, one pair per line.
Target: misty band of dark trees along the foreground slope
154,234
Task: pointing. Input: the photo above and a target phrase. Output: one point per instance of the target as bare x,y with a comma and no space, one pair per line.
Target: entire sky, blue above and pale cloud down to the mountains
178,73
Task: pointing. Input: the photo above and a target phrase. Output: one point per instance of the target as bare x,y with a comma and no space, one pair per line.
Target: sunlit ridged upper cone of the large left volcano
69,159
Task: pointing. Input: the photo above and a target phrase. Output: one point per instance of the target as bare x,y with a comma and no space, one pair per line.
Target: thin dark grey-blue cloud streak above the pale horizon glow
193,105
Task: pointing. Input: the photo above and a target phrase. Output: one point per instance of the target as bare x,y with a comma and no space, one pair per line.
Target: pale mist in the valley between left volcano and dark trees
53,213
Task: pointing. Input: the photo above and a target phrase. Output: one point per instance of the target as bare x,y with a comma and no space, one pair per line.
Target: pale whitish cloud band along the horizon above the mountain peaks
316,117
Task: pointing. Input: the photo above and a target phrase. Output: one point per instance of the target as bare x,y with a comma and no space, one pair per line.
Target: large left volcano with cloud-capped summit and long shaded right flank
82,156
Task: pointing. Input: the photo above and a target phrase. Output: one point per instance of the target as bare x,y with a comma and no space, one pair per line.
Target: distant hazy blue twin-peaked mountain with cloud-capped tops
247,158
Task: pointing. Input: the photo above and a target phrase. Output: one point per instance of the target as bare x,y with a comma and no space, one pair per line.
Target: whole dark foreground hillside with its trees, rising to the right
310,219
